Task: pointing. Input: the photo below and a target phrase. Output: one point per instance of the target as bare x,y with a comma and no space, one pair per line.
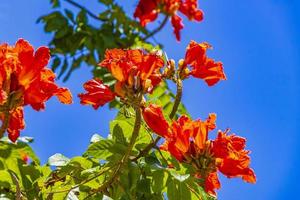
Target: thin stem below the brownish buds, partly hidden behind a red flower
172,115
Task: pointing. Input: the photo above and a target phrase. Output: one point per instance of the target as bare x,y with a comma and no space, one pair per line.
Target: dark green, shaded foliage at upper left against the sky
83,37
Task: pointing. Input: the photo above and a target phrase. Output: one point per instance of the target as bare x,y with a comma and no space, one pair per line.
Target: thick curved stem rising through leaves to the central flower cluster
135,133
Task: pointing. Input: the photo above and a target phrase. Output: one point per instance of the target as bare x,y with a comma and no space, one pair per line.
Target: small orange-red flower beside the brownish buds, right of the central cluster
202,66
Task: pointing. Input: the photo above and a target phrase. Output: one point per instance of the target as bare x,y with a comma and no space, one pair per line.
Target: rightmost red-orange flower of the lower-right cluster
235,160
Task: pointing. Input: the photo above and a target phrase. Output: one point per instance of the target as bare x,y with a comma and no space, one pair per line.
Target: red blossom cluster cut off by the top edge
148,10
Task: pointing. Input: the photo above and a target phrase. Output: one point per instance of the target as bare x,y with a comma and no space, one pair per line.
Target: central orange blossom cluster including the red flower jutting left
135,72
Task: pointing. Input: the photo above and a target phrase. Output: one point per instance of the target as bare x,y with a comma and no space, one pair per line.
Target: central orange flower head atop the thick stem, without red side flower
134,70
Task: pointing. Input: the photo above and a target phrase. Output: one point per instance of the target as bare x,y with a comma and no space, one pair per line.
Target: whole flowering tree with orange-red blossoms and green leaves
154,149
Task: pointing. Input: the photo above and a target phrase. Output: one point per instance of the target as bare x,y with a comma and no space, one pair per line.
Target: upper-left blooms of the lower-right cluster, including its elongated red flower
182,135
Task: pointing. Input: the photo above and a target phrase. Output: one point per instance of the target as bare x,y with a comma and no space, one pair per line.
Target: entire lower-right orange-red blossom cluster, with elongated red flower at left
188,142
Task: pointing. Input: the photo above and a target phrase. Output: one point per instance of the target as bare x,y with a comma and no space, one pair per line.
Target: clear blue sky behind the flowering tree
258,42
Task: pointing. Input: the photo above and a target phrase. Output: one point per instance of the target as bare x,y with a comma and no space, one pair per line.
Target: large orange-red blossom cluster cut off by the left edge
25,80
